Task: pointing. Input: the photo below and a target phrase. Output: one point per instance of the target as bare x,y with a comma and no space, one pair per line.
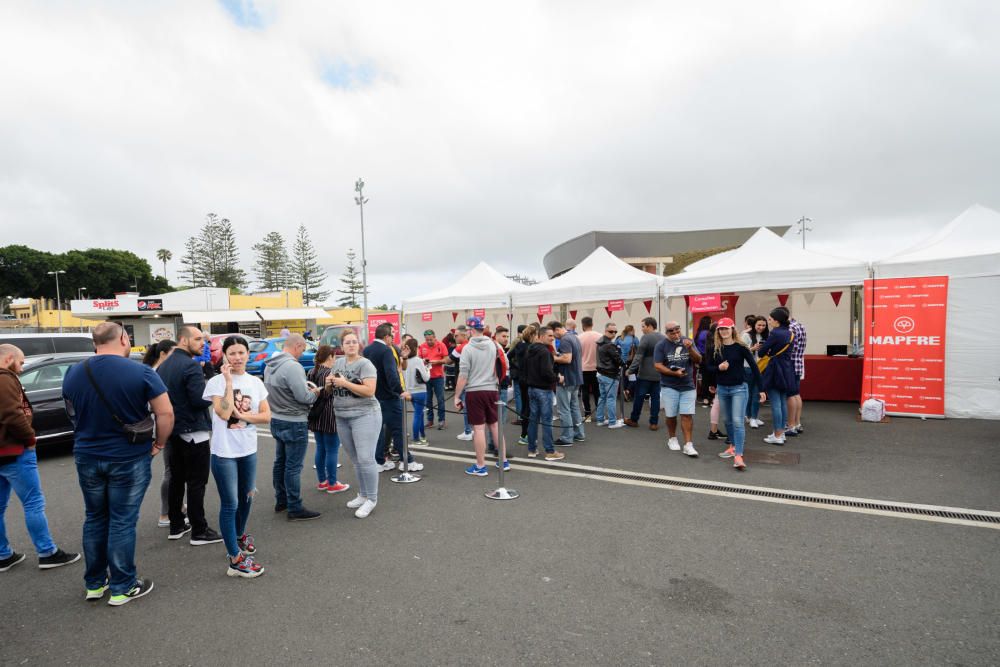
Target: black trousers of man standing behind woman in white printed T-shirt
189,465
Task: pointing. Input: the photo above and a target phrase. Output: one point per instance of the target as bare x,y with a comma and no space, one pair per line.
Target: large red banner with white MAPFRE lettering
905,320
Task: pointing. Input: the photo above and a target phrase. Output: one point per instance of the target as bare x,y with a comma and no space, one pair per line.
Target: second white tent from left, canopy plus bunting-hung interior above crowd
586,289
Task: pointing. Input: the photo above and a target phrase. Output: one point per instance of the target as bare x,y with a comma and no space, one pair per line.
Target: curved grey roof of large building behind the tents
568,254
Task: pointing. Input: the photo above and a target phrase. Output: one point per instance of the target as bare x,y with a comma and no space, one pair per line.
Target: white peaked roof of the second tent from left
599,277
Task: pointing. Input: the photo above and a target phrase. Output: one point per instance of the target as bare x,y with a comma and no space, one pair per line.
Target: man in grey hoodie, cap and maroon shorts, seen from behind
477,377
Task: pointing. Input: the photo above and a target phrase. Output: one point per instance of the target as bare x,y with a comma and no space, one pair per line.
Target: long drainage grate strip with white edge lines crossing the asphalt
896,508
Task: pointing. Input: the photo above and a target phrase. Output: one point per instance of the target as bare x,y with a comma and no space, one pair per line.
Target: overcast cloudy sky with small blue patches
491,131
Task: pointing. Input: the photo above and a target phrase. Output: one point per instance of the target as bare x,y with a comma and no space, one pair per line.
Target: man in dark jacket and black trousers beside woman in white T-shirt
188,450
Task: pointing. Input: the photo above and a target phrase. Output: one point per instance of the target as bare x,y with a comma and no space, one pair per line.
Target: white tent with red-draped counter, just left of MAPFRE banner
819,289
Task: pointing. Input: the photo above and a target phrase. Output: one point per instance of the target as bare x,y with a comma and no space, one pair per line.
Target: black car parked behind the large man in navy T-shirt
42,380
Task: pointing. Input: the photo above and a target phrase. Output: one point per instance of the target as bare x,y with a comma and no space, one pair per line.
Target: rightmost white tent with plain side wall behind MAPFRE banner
967,250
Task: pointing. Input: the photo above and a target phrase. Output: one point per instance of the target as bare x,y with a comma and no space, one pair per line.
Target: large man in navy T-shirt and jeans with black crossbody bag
103,395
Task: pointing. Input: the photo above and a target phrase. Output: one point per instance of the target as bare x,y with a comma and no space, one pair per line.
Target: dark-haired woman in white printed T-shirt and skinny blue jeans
239,403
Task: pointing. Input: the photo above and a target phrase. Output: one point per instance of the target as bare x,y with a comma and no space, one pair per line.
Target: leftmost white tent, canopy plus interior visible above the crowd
482,288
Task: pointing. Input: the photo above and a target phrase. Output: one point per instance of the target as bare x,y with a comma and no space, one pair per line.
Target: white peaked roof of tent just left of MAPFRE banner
766,262
